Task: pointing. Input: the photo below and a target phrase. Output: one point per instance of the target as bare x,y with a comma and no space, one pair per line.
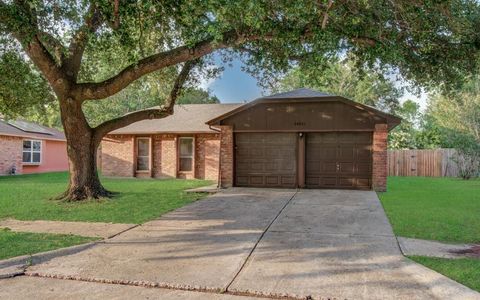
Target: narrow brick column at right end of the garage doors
379,168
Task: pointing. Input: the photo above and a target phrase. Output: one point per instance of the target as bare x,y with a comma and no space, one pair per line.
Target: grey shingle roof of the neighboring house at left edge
26,129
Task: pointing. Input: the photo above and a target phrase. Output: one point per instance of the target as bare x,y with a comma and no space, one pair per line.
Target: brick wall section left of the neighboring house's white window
10,154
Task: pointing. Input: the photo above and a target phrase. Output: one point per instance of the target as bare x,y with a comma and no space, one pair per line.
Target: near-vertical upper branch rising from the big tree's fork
93,20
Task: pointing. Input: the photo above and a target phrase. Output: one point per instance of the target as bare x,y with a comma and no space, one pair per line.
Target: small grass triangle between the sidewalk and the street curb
22,243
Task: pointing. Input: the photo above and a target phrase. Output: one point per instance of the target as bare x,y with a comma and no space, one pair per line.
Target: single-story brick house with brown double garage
301,138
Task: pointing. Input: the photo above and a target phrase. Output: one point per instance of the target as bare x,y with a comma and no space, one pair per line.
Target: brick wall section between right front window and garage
207,150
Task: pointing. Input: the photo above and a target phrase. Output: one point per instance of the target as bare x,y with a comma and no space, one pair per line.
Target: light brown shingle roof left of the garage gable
187,118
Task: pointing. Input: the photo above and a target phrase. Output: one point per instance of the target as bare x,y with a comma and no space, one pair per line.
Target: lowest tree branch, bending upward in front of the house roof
153,113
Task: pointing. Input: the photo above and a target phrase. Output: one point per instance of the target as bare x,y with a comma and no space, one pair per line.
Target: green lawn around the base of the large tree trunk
27,197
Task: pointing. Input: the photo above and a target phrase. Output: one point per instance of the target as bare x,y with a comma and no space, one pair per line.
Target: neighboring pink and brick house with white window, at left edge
27,147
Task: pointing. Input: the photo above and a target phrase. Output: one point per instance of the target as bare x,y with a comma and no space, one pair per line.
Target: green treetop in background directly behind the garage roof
343,79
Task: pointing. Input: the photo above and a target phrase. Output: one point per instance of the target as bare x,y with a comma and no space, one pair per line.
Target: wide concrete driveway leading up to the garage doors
261,242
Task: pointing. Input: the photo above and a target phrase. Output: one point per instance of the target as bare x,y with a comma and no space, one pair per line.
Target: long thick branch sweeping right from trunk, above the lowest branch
155,62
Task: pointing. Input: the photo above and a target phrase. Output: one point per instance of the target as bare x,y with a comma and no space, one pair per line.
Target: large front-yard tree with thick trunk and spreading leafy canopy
91,50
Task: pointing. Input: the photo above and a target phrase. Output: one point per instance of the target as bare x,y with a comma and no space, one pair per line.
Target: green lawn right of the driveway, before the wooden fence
443,209
